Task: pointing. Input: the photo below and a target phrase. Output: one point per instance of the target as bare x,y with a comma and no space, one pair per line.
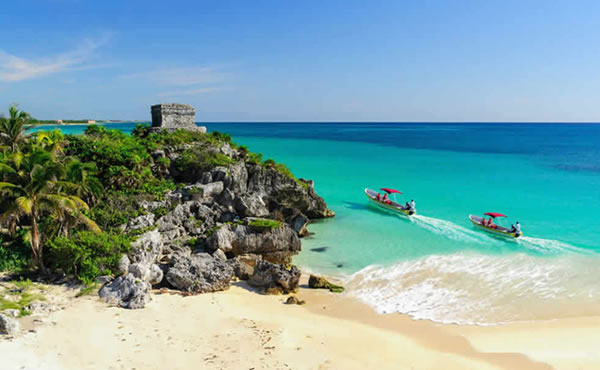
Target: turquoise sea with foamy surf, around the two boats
436,265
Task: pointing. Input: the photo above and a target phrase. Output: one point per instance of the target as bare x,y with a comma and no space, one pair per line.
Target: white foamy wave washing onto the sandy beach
470,288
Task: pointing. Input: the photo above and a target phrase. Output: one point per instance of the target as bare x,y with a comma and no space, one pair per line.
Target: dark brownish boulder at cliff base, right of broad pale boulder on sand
272,278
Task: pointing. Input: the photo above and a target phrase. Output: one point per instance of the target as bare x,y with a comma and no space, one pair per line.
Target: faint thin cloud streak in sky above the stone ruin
186,76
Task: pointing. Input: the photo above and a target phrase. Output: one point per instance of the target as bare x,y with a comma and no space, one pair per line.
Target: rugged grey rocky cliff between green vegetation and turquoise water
237,219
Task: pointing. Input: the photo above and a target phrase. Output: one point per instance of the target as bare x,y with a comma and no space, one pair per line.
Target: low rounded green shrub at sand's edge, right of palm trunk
87,255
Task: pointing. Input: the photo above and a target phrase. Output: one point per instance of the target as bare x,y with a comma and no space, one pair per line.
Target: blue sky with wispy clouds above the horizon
333,60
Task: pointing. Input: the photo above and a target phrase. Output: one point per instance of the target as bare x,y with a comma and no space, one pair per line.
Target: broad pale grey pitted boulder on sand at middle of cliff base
199,273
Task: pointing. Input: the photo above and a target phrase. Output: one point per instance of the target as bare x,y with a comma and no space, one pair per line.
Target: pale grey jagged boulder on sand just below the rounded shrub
126,291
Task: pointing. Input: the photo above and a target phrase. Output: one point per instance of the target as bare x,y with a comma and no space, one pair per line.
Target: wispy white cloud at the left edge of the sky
14,68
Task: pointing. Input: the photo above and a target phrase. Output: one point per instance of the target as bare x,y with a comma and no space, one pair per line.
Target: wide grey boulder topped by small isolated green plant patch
277,244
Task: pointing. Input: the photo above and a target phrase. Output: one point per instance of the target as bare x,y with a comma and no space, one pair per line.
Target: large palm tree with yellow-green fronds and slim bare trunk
33,185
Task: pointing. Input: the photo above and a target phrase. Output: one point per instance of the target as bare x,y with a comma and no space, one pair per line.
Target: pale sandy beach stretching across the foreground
240,329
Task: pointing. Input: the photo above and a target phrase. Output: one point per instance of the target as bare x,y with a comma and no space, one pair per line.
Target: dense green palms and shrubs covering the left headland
65,198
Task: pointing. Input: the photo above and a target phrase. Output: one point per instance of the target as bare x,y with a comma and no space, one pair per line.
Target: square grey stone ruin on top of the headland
173,116
